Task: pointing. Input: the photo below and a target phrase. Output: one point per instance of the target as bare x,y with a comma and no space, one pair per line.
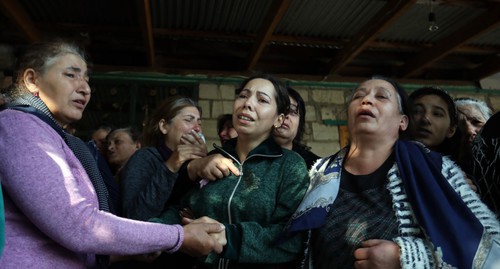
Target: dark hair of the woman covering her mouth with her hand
167,110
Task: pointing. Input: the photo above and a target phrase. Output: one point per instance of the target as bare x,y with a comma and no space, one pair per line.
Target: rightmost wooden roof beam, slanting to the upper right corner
481,24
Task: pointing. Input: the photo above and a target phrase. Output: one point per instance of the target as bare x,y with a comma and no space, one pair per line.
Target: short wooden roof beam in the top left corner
19,17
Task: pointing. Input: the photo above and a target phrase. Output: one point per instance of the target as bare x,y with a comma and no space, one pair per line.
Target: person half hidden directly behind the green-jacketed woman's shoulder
290,134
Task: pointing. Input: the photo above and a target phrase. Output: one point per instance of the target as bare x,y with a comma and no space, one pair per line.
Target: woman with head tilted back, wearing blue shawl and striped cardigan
382,202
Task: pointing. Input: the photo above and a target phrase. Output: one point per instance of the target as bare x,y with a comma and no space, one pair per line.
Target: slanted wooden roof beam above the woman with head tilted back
380,21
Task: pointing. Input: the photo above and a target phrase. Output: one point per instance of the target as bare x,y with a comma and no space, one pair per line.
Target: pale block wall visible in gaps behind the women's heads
325,111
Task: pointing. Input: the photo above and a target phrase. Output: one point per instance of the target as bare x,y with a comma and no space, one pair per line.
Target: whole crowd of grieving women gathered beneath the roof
401,194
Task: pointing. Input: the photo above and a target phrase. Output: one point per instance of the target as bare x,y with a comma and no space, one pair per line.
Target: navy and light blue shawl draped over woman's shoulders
443,216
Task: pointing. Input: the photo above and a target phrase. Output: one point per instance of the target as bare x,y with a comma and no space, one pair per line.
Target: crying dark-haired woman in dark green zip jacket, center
259,183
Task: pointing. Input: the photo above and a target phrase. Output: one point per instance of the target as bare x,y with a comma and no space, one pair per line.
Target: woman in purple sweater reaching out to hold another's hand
55,202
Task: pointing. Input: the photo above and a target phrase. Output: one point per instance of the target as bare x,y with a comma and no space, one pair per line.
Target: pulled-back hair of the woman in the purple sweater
40,57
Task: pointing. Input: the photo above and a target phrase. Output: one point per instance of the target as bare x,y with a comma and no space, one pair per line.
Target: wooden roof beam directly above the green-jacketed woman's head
276,12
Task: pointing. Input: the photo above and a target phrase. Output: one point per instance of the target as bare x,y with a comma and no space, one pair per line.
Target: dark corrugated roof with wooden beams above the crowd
307,37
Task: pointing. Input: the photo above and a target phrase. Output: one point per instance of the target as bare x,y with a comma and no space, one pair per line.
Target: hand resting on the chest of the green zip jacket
212,167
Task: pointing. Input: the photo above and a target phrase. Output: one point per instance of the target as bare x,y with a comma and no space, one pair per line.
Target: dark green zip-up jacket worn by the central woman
254,206
